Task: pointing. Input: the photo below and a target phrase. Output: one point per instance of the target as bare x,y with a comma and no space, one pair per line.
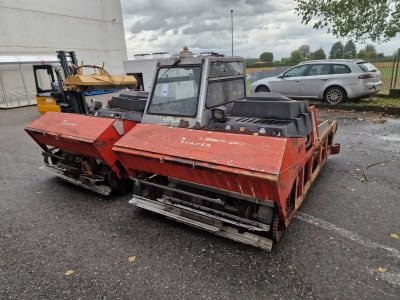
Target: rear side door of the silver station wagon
315,80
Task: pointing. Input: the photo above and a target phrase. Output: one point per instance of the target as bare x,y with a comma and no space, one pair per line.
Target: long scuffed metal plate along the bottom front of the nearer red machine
199,220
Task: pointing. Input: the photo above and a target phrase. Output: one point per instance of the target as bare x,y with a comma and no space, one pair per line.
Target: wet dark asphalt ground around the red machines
58,241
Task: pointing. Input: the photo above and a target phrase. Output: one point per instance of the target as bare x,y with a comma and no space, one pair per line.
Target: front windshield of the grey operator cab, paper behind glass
176,91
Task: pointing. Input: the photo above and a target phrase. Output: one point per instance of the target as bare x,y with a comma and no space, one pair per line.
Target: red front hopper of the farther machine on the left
80,134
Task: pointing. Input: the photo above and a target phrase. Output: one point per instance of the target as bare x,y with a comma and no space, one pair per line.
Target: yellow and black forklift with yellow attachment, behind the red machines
63,87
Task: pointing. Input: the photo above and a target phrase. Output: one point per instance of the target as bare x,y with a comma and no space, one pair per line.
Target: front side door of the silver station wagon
288,83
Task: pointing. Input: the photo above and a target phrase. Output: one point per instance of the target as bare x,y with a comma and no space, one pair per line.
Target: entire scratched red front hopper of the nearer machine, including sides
258,166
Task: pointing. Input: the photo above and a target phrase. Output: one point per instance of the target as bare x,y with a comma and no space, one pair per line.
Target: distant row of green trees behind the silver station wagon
338,51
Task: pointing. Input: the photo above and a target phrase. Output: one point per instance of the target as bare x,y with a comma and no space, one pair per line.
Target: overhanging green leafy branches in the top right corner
377,20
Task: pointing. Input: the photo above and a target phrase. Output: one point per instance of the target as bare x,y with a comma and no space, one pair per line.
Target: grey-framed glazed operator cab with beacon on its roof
188,87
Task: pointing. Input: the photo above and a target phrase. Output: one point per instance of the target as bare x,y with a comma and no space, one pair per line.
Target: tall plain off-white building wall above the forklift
93,28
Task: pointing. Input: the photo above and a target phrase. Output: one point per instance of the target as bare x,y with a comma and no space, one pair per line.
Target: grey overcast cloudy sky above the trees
205,25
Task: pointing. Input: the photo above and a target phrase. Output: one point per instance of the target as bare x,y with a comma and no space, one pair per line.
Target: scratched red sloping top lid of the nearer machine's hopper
256,155
